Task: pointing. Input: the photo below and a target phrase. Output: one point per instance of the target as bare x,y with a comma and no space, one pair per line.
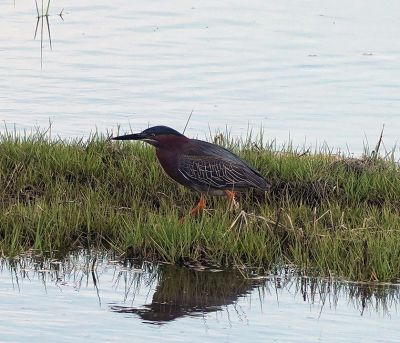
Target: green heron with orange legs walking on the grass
201,166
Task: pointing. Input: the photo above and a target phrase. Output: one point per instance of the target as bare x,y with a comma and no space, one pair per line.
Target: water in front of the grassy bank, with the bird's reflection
64,301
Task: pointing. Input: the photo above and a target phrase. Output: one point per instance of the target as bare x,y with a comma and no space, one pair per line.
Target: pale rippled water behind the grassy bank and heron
309,71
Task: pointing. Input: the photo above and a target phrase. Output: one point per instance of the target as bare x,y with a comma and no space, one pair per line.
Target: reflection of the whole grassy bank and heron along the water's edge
173,292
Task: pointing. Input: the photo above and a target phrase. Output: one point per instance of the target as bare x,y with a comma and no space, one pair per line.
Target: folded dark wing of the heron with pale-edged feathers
209,171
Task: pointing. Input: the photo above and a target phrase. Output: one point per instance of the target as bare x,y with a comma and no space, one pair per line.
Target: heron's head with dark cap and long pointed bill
156,135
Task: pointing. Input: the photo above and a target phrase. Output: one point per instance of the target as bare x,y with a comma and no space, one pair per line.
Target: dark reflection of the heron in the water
182,292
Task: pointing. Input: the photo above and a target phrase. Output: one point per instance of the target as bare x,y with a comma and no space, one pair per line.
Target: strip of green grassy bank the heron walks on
324,214
